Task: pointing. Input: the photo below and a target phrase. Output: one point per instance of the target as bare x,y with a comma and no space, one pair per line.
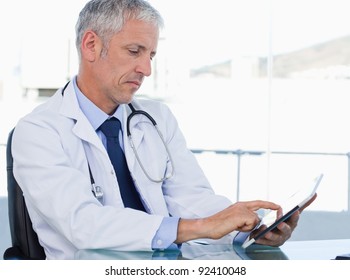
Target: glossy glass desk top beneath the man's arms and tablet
292,250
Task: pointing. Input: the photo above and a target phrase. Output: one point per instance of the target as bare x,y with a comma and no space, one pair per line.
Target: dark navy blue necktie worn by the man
130,196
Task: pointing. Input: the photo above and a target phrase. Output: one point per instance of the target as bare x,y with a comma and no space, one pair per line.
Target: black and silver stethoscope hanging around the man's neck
97,190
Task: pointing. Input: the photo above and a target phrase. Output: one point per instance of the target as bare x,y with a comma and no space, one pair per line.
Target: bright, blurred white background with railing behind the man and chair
260,88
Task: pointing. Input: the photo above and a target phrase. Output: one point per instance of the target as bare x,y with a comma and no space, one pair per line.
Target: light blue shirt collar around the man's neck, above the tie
94,114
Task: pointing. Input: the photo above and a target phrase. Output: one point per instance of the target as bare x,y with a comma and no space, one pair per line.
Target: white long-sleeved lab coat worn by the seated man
52,147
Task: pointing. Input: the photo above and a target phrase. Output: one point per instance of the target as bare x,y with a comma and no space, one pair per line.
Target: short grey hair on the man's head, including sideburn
107,17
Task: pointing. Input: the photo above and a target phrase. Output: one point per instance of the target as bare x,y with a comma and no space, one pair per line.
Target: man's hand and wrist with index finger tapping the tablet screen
240,216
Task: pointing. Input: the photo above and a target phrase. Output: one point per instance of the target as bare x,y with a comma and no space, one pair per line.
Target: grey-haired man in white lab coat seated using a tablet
57,146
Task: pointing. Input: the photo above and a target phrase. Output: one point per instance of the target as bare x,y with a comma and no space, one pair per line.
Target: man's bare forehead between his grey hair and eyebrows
138,32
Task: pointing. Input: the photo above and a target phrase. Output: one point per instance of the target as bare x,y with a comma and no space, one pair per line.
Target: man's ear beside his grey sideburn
91,46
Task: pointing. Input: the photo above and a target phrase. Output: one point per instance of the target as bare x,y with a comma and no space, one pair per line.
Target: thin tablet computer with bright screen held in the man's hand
289,207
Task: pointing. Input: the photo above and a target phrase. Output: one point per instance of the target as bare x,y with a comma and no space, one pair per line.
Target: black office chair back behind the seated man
25,244
